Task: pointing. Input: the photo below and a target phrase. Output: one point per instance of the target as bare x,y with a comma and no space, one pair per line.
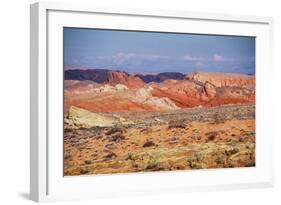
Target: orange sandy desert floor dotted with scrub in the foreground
194,138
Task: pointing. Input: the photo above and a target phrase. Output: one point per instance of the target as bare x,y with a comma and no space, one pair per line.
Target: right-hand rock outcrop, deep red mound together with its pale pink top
208,89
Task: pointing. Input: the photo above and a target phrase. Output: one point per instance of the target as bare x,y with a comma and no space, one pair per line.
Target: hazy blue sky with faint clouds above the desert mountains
153,52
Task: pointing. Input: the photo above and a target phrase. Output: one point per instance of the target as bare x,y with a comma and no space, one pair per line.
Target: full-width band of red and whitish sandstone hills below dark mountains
130,93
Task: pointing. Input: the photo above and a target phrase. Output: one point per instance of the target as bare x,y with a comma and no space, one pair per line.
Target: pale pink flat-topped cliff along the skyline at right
224,79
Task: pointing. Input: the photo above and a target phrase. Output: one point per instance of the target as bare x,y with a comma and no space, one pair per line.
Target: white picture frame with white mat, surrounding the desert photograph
46,178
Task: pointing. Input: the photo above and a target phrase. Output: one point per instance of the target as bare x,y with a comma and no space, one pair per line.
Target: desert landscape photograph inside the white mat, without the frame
148,101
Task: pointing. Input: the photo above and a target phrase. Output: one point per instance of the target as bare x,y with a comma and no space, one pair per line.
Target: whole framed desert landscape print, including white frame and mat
127,102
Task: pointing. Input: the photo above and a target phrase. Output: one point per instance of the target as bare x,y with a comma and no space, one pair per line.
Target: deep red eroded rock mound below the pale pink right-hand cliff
192,93
